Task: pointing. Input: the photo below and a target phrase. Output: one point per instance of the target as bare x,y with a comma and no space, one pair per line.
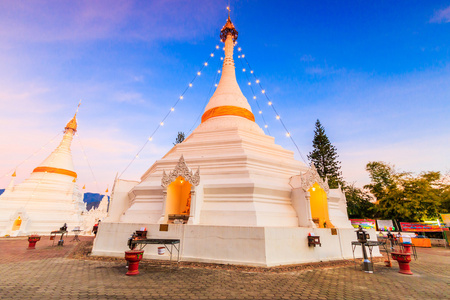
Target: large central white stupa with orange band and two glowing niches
229,193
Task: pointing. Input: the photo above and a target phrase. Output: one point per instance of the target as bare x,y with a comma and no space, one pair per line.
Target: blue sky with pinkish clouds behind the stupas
376,74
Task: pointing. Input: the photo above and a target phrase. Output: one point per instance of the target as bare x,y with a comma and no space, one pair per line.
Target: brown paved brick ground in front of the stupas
49,273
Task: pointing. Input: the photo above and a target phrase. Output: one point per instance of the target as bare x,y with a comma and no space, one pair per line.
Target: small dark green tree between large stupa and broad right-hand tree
359,203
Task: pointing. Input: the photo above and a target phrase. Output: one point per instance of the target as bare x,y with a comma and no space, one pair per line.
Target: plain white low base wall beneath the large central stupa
236,245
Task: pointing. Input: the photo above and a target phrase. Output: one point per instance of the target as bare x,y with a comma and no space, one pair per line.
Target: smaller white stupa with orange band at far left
48,198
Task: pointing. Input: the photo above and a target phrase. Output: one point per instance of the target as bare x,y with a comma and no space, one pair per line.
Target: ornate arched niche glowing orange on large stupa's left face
179,194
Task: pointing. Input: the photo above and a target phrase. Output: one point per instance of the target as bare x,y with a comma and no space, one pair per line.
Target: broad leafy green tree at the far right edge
402,196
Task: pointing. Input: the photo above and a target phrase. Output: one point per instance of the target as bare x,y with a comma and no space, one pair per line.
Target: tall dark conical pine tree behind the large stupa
324,156
